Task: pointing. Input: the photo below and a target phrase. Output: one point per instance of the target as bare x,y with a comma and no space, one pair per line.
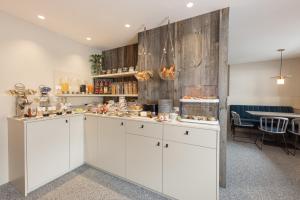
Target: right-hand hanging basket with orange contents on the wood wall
167,66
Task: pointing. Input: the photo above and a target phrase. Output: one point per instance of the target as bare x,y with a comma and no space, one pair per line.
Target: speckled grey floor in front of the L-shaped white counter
84,183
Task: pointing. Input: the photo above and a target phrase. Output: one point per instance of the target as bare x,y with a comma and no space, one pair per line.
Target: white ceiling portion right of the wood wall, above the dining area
259,27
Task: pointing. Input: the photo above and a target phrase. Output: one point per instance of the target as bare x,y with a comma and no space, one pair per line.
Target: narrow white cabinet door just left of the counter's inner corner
76,141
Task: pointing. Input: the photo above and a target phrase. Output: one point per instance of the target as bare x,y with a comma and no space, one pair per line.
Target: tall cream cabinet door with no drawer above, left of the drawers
112,146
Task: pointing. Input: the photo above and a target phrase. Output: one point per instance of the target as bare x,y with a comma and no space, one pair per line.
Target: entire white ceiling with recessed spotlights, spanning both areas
257,27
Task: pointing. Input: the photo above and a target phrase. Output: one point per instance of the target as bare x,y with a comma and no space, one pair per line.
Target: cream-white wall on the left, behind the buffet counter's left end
33,56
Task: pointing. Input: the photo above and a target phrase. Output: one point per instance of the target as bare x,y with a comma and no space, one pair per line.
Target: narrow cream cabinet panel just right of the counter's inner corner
91,140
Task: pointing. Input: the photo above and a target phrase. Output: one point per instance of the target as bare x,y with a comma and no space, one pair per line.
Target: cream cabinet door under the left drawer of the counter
144,161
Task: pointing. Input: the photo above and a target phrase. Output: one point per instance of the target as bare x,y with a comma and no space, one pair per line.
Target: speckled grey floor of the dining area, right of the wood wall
269,174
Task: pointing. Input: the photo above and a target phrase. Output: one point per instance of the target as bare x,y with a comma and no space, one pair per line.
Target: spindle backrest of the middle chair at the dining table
274,124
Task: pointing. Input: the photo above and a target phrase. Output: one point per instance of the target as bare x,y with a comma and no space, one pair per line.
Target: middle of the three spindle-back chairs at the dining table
273,126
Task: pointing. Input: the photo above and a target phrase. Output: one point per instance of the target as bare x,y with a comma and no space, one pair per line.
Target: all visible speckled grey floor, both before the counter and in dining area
252,174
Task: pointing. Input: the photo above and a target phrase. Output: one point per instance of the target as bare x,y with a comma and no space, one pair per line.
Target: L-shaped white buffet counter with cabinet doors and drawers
153,154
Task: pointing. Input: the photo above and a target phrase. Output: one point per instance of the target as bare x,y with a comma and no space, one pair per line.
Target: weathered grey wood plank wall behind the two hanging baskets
196,42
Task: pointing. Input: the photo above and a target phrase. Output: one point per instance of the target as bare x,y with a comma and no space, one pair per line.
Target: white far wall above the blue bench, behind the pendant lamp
250,83
